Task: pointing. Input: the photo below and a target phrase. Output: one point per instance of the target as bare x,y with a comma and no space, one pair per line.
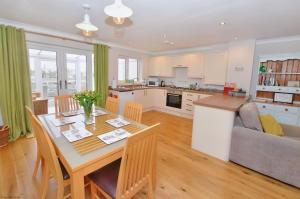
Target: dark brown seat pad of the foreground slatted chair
107,177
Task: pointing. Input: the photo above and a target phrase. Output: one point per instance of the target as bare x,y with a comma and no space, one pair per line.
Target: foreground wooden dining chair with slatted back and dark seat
123,178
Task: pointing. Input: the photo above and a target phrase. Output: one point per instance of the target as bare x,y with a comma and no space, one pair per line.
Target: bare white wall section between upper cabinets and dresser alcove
240,63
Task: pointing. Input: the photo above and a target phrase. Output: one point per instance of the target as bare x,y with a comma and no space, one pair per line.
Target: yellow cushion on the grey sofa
270,125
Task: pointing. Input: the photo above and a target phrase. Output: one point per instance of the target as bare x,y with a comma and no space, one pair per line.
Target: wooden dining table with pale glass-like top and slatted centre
89,154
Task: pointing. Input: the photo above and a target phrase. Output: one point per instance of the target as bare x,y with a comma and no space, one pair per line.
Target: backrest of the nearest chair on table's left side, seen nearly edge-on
46,148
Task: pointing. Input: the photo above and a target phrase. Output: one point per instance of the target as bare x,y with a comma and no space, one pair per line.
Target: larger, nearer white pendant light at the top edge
118,11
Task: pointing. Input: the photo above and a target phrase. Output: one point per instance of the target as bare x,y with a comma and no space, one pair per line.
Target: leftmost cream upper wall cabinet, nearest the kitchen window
161,66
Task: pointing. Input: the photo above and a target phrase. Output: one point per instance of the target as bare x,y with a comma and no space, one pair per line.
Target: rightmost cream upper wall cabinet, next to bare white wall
215,67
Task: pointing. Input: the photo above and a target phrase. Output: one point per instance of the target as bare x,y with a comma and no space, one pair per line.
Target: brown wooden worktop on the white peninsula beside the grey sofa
221,101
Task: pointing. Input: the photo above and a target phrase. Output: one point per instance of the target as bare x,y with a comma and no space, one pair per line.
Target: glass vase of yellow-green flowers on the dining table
87,99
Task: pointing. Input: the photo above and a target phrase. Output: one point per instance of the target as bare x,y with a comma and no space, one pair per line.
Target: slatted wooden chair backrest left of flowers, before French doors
65,103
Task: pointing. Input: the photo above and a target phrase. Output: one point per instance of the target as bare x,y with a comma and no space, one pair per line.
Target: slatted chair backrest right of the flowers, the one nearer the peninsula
133,111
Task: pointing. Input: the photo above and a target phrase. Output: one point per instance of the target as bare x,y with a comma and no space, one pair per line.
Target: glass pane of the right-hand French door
76,73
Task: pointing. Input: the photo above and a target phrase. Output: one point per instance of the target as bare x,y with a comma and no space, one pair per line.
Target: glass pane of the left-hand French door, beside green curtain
43,73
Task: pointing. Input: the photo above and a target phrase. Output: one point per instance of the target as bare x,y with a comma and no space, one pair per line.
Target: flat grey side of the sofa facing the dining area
275,156
